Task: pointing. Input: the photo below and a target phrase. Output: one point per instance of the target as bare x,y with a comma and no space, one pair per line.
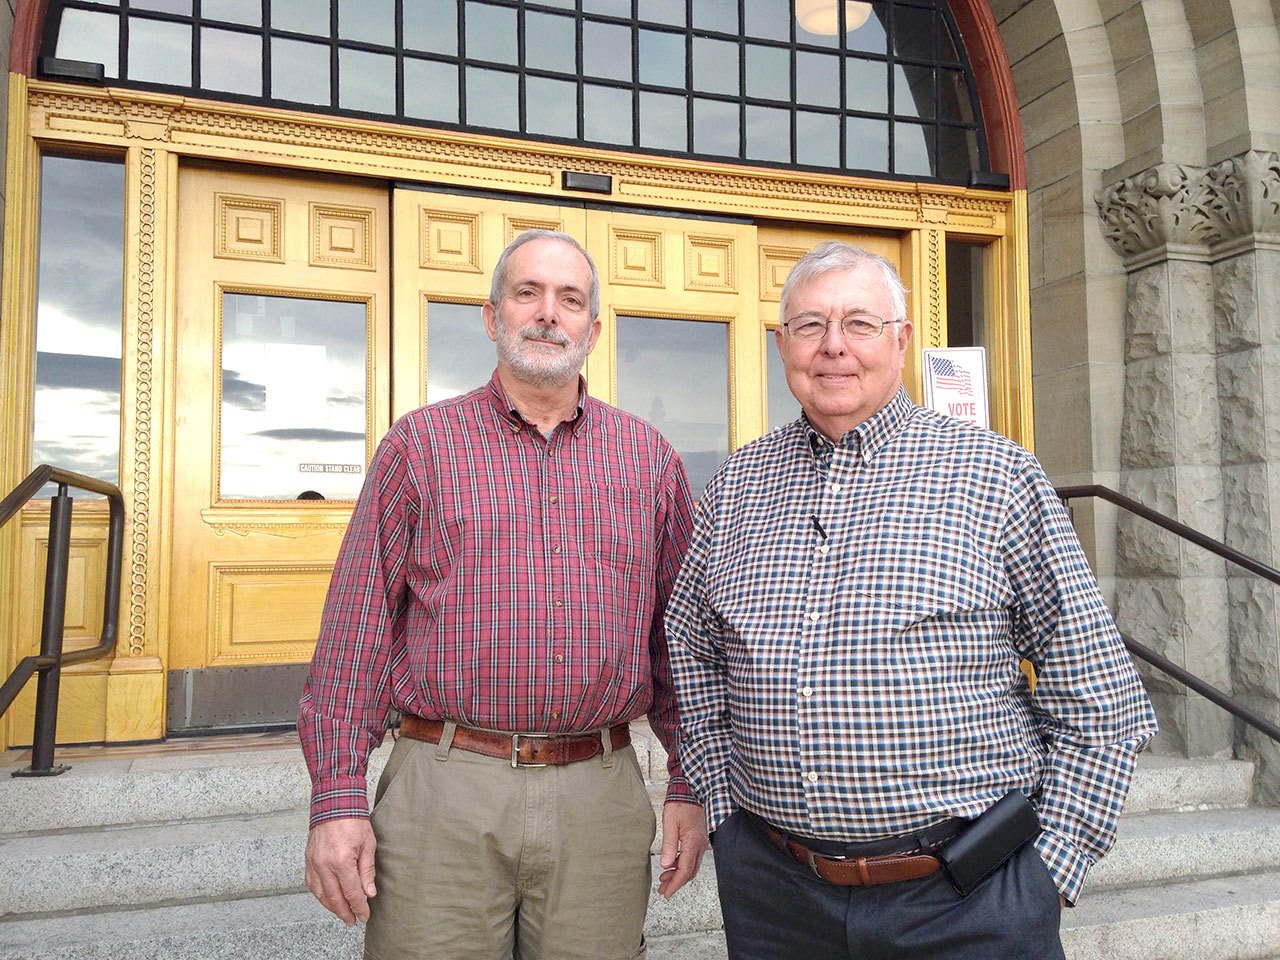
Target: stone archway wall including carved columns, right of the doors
1151,129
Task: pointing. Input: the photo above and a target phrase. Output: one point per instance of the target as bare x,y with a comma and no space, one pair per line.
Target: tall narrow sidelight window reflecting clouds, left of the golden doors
77,413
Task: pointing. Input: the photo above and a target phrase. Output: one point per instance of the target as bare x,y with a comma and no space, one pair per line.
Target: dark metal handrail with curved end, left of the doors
52,660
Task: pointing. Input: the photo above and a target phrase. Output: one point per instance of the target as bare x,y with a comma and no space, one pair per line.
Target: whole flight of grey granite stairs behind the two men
199,857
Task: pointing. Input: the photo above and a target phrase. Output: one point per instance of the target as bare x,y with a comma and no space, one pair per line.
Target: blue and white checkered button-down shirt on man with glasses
848,629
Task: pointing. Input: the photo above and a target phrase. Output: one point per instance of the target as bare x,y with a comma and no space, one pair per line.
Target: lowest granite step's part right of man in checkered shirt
1227,918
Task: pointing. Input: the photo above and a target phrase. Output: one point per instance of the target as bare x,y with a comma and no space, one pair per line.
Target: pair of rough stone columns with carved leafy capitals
1201,437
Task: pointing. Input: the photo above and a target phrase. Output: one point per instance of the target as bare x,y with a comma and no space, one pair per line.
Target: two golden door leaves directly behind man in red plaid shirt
679,345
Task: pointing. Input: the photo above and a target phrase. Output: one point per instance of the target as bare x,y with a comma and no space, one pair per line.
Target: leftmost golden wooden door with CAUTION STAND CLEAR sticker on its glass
282,382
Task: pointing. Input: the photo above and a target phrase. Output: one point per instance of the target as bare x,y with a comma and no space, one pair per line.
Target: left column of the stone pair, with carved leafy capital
1172,596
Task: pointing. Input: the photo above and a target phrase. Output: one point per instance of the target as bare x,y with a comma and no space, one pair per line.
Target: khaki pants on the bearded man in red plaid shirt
482,862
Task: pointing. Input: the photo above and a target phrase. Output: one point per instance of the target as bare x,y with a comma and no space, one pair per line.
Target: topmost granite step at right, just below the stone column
1180,784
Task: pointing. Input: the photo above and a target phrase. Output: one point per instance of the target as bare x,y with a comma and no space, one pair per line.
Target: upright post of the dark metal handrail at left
52,641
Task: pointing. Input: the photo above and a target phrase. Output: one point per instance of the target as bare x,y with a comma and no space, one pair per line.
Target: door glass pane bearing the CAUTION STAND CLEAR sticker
295,395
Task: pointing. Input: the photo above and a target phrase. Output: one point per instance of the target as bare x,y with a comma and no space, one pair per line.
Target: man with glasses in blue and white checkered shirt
847,639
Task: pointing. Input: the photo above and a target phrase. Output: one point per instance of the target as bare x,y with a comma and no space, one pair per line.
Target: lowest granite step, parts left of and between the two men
286,927
